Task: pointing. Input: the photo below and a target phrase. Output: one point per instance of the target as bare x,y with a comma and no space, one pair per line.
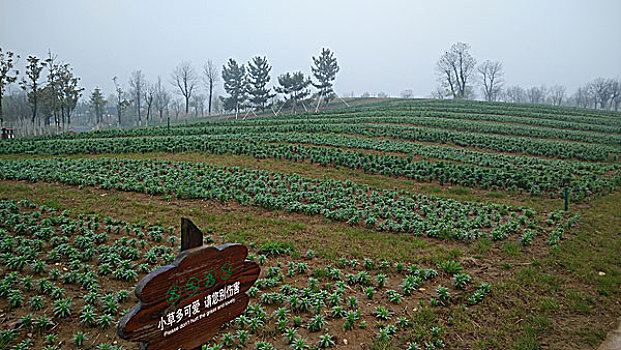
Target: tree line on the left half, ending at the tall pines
246,87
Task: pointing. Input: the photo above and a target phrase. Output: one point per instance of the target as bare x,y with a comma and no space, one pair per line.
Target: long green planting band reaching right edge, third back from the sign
473,169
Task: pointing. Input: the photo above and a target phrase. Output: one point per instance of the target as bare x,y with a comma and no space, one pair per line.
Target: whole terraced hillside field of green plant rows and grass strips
390,225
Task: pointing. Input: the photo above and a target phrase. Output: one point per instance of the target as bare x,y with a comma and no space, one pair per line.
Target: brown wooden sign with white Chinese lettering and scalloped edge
184,304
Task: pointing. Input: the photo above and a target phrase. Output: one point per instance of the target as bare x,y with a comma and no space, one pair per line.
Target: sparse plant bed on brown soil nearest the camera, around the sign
296,304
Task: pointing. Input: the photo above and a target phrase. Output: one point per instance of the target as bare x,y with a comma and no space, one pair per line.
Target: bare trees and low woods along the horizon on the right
459,76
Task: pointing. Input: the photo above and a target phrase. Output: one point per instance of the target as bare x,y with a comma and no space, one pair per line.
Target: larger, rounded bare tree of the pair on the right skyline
456,68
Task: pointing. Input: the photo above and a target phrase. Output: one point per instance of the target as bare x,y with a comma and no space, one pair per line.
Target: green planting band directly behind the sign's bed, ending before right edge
355,204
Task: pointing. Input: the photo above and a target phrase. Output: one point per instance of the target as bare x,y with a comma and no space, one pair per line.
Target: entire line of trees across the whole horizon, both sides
48,88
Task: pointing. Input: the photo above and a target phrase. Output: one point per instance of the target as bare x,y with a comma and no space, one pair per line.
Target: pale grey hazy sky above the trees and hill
386,45
